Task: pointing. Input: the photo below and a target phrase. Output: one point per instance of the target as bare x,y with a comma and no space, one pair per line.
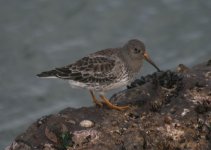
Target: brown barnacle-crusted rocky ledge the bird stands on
169,110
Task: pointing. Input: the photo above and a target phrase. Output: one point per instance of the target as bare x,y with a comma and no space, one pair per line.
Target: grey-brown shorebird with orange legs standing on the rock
104,70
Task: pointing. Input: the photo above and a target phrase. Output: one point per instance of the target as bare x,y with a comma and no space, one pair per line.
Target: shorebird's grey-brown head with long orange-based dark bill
136,51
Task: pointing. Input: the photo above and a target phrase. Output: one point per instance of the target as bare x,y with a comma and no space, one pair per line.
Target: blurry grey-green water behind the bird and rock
37,35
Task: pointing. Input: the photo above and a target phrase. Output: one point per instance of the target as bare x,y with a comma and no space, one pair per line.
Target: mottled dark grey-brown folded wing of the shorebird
90,69
